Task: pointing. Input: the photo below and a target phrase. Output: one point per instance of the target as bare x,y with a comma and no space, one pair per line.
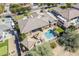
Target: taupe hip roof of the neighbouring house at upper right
68,13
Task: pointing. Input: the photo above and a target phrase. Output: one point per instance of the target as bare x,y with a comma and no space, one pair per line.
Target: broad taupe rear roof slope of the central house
34,23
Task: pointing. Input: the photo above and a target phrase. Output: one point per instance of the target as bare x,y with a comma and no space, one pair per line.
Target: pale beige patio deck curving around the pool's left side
40,35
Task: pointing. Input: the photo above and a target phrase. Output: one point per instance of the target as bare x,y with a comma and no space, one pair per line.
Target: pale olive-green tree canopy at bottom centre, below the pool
41,50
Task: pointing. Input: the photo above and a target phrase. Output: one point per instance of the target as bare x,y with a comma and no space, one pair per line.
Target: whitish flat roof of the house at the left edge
6,24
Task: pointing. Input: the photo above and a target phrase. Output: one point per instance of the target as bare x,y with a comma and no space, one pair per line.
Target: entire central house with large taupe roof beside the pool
35,21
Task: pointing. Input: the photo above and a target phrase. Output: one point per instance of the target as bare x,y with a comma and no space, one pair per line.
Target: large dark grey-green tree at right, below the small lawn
70,40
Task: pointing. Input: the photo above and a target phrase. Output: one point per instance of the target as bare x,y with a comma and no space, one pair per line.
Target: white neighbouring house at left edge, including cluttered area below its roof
5,26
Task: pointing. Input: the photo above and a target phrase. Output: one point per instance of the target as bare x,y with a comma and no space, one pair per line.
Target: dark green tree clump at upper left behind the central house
19,9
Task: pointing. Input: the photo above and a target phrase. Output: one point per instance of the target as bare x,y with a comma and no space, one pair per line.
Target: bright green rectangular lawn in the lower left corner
4,48
